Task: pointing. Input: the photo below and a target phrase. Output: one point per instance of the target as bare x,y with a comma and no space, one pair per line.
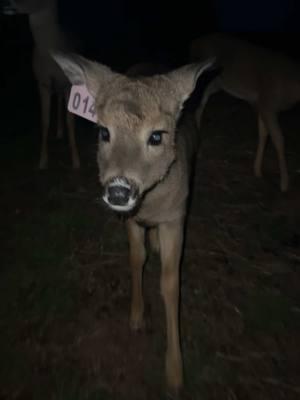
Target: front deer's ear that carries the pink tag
81,71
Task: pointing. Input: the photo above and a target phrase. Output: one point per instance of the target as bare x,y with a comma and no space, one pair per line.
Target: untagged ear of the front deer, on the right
185,78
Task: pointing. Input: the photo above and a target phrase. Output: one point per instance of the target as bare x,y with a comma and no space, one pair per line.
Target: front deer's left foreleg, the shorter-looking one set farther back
137,257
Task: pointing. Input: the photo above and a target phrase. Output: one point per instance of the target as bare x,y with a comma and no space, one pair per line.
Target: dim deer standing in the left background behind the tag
48,36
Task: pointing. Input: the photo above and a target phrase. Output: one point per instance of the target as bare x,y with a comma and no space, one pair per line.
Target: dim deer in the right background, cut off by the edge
266,79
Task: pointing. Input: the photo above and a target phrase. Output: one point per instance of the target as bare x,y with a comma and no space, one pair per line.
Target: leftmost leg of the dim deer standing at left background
45,102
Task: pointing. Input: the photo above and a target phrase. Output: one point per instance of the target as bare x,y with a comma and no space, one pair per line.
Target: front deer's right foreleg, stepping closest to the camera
171,238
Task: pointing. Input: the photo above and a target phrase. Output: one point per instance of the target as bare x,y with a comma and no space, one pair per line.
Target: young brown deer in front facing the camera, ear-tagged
146,152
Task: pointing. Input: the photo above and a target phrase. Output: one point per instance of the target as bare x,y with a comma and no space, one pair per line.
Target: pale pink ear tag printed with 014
82,103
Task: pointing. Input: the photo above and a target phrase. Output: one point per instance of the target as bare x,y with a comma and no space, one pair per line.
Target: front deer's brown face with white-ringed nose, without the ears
136,143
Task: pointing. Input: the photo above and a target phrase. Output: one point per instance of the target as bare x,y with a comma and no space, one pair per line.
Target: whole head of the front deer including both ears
137,123
